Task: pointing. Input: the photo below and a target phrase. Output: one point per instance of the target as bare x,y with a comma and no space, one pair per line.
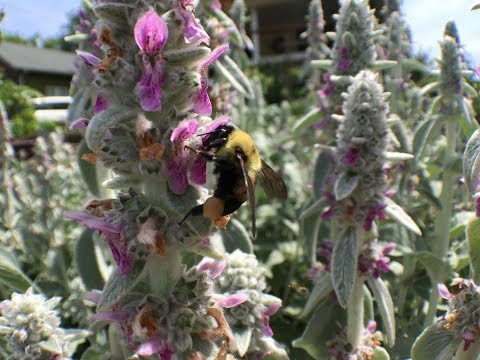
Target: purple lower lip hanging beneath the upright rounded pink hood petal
149,87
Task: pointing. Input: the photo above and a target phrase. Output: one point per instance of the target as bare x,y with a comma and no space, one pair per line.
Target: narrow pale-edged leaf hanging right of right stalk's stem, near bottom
385,306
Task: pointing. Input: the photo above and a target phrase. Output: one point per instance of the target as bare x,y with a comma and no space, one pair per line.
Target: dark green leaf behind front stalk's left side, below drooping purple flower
86,261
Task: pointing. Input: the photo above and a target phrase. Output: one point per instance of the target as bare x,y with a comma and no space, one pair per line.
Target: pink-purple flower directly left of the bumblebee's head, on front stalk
177,168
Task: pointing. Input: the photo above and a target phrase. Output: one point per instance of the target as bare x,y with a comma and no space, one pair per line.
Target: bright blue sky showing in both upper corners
425,17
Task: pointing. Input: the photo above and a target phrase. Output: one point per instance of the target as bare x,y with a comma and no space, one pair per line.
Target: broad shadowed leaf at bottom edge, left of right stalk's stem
318,331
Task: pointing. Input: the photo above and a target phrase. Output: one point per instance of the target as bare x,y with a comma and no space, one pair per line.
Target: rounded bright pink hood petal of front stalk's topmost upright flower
151,33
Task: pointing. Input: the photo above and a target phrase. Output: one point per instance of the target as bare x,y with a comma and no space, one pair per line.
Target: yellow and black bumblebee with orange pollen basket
238,165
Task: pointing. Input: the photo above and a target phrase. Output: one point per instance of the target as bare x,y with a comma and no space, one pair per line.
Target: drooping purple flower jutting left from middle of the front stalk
112,235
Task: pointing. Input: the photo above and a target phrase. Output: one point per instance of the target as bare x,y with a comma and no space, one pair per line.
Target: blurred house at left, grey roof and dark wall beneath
47,70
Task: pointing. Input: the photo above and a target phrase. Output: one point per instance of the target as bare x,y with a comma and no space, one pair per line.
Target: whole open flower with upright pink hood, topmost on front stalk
151,34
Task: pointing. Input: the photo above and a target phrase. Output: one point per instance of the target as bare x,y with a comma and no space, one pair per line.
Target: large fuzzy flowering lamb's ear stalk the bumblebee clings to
152,104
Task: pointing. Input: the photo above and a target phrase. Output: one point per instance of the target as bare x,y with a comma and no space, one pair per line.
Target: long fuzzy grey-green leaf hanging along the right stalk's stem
344,264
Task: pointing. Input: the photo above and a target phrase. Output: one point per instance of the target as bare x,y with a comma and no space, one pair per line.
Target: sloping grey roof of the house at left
33,59
